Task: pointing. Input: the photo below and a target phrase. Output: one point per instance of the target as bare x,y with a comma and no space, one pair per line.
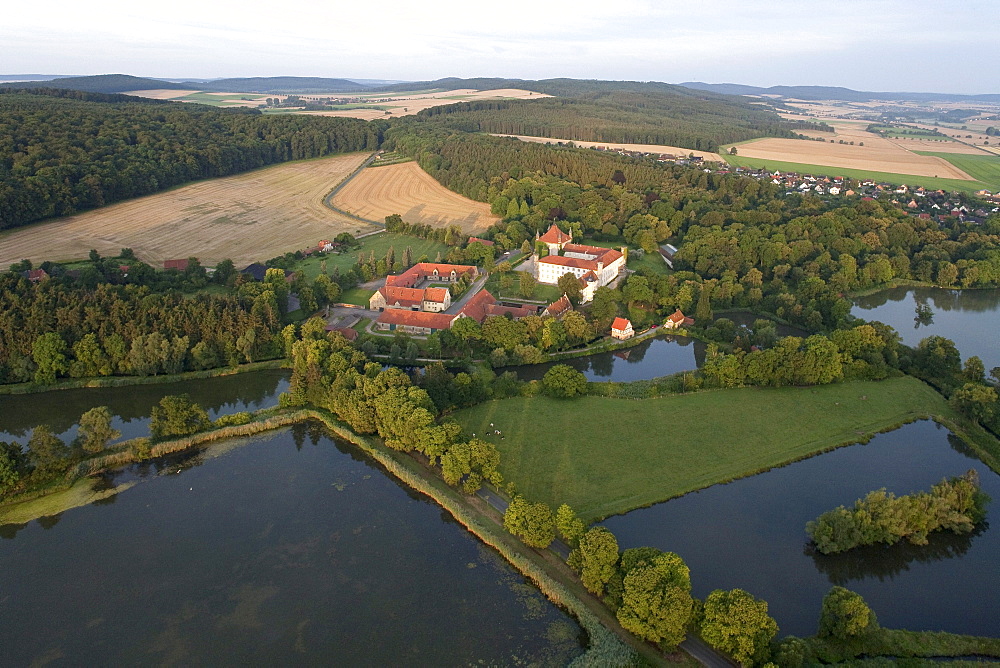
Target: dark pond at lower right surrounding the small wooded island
750,534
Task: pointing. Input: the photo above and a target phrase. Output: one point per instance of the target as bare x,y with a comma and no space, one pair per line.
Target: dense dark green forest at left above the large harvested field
62,152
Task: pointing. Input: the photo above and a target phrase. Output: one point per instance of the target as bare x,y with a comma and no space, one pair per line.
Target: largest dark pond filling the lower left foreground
291,548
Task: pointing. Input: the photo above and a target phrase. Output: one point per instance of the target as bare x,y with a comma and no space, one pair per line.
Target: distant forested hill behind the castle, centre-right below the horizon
700,123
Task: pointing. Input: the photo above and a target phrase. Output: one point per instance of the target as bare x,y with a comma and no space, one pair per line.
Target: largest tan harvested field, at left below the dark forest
248,217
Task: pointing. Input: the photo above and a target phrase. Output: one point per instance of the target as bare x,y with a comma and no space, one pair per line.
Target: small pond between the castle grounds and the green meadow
660,356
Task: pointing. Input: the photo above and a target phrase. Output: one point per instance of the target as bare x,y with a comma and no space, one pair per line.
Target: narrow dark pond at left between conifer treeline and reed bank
132,405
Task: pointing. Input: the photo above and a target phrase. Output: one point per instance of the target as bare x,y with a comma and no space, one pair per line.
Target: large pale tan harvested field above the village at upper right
877,154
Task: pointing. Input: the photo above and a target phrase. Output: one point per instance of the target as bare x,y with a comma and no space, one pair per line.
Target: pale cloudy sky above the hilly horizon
876,45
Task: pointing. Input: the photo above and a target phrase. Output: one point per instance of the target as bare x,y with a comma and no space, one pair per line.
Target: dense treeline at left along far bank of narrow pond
50,329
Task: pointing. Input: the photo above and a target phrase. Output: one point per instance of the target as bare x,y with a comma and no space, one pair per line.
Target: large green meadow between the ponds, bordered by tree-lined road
607,456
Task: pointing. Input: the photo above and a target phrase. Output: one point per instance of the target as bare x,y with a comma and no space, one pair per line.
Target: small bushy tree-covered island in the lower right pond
955,505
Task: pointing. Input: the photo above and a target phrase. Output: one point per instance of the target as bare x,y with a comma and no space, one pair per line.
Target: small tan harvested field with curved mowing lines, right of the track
408,190
